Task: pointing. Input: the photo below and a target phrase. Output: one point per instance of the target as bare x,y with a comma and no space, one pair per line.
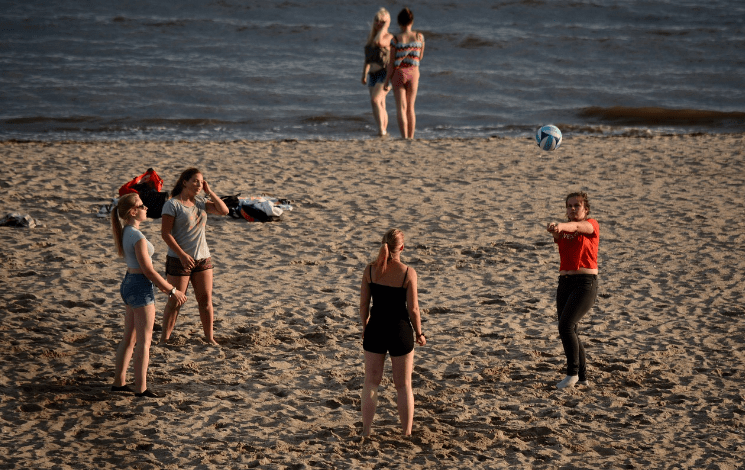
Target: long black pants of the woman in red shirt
575,296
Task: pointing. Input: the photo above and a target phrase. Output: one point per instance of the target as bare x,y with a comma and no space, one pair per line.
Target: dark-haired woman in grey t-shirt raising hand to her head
188,259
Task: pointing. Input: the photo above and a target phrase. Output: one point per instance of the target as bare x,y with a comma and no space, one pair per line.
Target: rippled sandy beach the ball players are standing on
665,340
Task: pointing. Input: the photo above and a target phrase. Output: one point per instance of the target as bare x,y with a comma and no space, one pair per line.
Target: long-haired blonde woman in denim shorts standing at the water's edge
377,53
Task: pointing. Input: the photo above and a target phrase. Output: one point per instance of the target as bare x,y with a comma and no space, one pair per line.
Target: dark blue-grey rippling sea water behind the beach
275,70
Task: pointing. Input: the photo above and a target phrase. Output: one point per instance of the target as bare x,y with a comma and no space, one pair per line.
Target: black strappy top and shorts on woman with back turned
389,328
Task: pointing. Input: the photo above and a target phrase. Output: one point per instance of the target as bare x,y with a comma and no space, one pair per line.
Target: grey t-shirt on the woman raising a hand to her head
189,226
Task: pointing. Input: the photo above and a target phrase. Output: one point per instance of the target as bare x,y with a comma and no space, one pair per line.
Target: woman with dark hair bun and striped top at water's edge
407,49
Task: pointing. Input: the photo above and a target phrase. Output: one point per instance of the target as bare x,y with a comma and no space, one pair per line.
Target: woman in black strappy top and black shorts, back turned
391,326
